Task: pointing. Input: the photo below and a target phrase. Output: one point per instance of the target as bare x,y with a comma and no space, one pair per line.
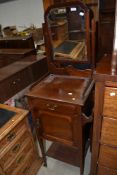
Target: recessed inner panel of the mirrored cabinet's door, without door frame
56,126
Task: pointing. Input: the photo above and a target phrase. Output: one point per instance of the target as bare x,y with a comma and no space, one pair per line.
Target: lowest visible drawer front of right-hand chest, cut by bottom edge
106,171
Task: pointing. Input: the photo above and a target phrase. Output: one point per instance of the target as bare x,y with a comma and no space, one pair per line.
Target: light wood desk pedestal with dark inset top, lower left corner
18,152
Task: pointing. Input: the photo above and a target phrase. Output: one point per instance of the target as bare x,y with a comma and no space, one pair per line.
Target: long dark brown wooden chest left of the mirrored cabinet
20,74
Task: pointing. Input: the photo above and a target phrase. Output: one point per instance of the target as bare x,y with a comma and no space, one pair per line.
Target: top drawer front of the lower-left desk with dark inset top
22,126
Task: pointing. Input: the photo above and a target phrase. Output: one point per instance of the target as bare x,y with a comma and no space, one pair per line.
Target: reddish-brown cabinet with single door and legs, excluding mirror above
61,108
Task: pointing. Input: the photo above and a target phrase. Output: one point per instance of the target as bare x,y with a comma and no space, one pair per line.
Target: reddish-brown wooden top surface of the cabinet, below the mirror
63,88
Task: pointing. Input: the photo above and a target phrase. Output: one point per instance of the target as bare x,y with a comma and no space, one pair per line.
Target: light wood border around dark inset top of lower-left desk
20,115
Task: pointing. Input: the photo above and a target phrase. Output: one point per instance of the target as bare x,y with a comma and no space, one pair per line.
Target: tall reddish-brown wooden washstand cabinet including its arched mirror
61,103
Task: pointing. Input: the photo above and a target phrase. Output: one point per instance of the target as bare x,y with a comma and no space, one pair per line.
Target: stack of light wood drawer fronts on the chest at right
107,160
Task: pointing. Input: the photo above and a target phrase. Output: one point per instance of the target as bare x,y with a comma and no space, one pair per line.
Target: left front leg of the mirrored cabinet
42,147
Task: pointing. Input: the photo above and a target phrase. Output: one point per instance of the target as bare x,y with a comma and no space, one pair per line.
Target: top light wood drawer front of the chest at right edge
110,102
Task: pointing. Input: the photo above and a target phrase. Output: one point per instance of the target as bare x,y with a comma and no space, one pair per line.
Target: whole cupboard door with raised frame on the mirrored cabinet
57,127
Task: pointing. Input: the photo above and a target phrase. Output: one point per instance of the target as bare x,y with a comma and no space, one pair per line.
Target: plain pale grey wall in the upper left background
21,13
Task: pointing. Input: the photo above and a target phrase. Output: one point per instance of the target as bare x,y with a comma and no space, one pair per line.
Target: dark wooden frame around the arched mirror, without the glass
90,36
